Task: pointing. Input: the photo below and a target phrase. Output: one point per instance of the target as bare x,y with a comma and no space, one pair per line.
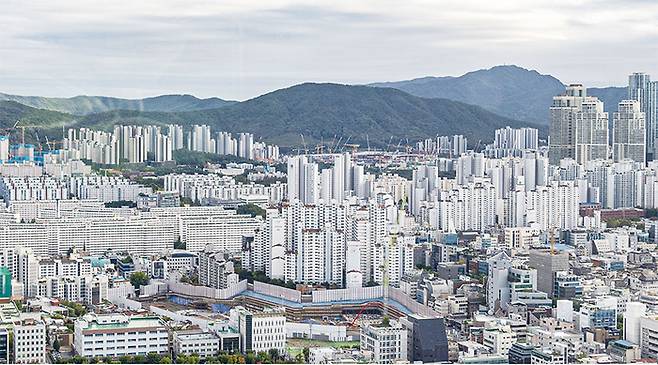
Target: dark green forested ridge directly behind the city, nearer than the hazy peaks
319,111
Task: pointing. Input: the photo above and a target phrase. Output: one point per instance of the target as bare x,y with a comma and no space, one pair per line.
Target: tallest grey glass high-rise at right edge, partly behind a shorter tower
642,89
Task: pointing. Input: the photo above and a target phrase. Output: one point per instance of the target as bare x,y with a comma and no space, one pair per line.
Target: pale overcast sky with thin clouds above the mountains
241,49
